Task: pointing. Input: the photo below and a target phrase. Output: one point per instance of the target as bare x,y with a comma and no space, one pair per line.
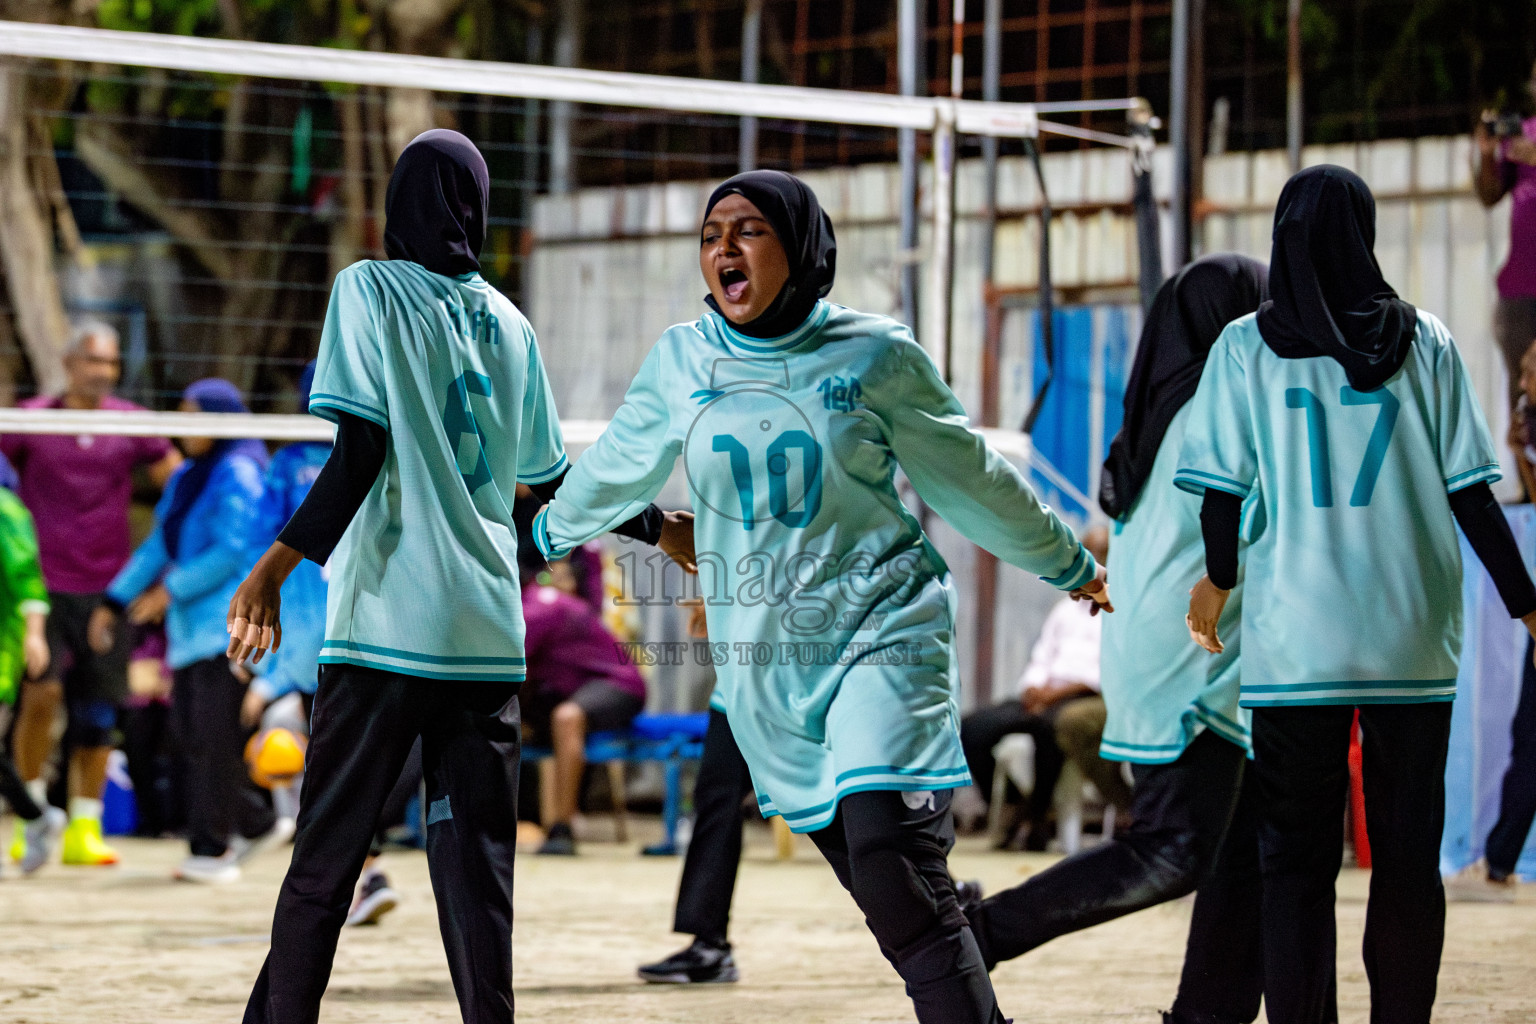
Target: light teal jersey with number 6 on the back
426,580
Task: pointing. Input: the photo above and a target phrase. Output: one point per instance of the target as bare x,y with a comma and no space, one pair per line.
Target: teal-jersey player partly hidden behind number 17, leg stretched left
1173,710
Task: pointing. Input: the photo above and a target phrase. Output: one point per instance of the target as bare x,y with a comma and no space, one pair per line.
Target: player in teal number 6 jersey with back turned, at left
442,408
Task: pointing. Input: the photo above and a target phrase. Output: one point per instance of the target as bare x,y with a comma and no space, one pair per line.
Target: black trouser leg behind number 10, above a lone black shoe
709,871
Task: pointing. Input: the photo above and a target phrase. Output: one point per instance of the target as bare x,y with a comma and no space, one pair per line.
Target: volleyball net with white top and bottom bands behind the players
200,196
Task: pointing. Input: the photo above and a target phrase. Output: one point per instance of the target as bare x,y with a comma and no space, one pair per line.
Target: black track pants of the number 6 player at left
362,732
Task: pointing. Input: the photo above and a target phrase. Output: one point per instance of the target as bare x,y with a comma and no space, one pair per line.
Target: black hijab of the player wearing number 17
1328,297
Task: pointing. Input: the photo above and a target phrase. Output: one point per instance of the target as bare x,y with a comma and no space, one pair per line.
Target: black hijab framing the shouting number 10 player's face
807,237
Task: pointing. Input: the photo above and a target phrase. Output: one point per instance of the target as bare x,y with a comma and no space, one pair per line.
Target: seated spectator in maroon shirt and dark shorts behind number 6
580,682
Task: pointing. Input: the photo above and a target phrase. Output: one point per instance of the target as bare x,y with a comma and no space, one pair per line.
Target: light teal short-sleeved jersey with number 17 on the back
1354,586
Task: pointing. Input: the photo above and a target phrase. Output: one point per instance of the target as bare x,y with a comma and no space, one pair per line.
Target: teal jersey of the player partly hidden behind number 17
1160,689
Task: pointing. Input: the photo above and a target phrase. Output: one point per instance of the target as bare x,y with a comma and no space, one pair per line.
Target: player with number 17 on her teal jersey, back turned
1348,417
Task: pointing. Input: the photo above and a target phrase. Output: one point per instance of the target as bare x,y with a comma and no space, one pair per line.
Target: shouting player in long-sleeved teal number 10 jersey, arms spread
832,609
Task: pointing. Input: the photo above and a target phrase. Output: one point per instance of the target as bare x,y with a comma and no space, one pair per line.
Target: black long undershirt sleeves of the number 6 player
349,475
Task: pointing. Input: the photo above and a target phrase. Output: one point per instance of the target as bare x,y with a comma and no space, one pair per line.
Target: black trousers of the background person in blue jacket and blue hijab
222,801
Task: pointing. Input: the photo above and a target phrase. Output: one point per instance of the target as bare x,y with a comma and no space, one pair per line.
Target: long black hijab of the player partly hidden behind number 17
1187,319
